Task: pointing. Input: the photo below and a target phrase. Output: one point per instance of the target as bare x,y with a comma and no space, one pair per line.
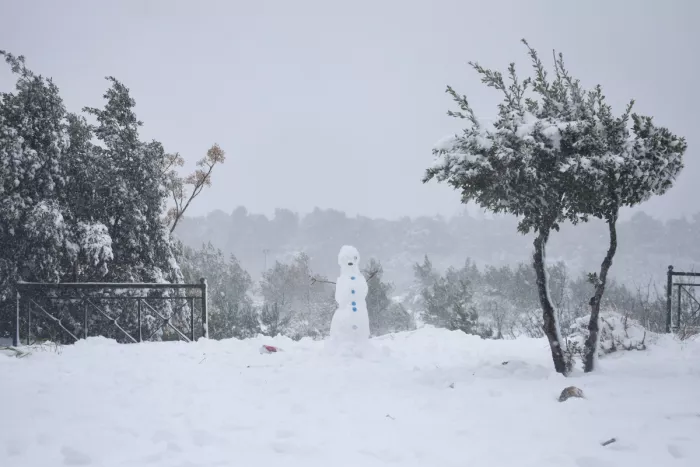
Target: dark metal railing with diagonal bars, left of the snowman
89,294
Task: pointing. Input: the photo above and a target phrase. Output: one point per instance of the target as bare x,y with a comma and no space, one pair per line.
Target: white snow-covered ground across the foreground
427,398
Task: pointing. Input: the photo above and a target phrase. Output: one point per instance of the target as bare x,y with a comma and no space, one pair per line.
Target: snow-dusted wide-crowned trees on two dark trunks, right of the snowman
554,154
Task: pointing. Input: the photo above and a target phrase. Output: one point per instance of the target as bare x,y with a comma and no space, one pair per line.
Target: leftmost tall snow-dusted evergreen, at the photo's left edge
41,238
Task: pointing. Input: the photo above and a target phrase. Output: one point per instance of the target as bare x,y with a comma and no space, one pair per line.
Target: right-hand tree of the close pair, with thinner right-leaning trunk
609,164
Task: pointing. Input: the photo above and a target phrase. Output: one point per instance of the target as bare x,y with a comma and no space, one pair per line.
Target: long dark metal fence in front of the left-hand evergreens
44,301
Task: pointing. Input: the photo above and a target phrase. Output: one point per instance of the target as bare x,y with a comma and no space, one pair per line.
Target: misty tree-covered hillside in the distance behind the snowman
646,245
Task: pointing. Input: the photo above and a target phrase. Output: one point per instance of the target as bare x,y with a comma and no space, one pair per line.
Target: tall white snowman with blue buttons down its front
350,323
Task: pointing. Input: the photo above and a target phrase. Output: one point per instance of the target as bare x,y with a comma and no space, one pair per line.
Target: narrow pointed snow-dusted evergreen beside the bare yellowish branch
134,192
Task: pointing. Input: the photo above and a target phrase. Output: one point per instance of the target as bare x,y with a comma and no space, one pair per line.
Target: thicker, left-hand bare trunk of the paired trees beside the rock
550,327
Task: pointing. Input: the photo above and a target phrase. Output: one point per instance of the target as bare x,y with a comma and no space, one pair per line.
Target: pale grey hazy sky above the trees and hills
337,104
